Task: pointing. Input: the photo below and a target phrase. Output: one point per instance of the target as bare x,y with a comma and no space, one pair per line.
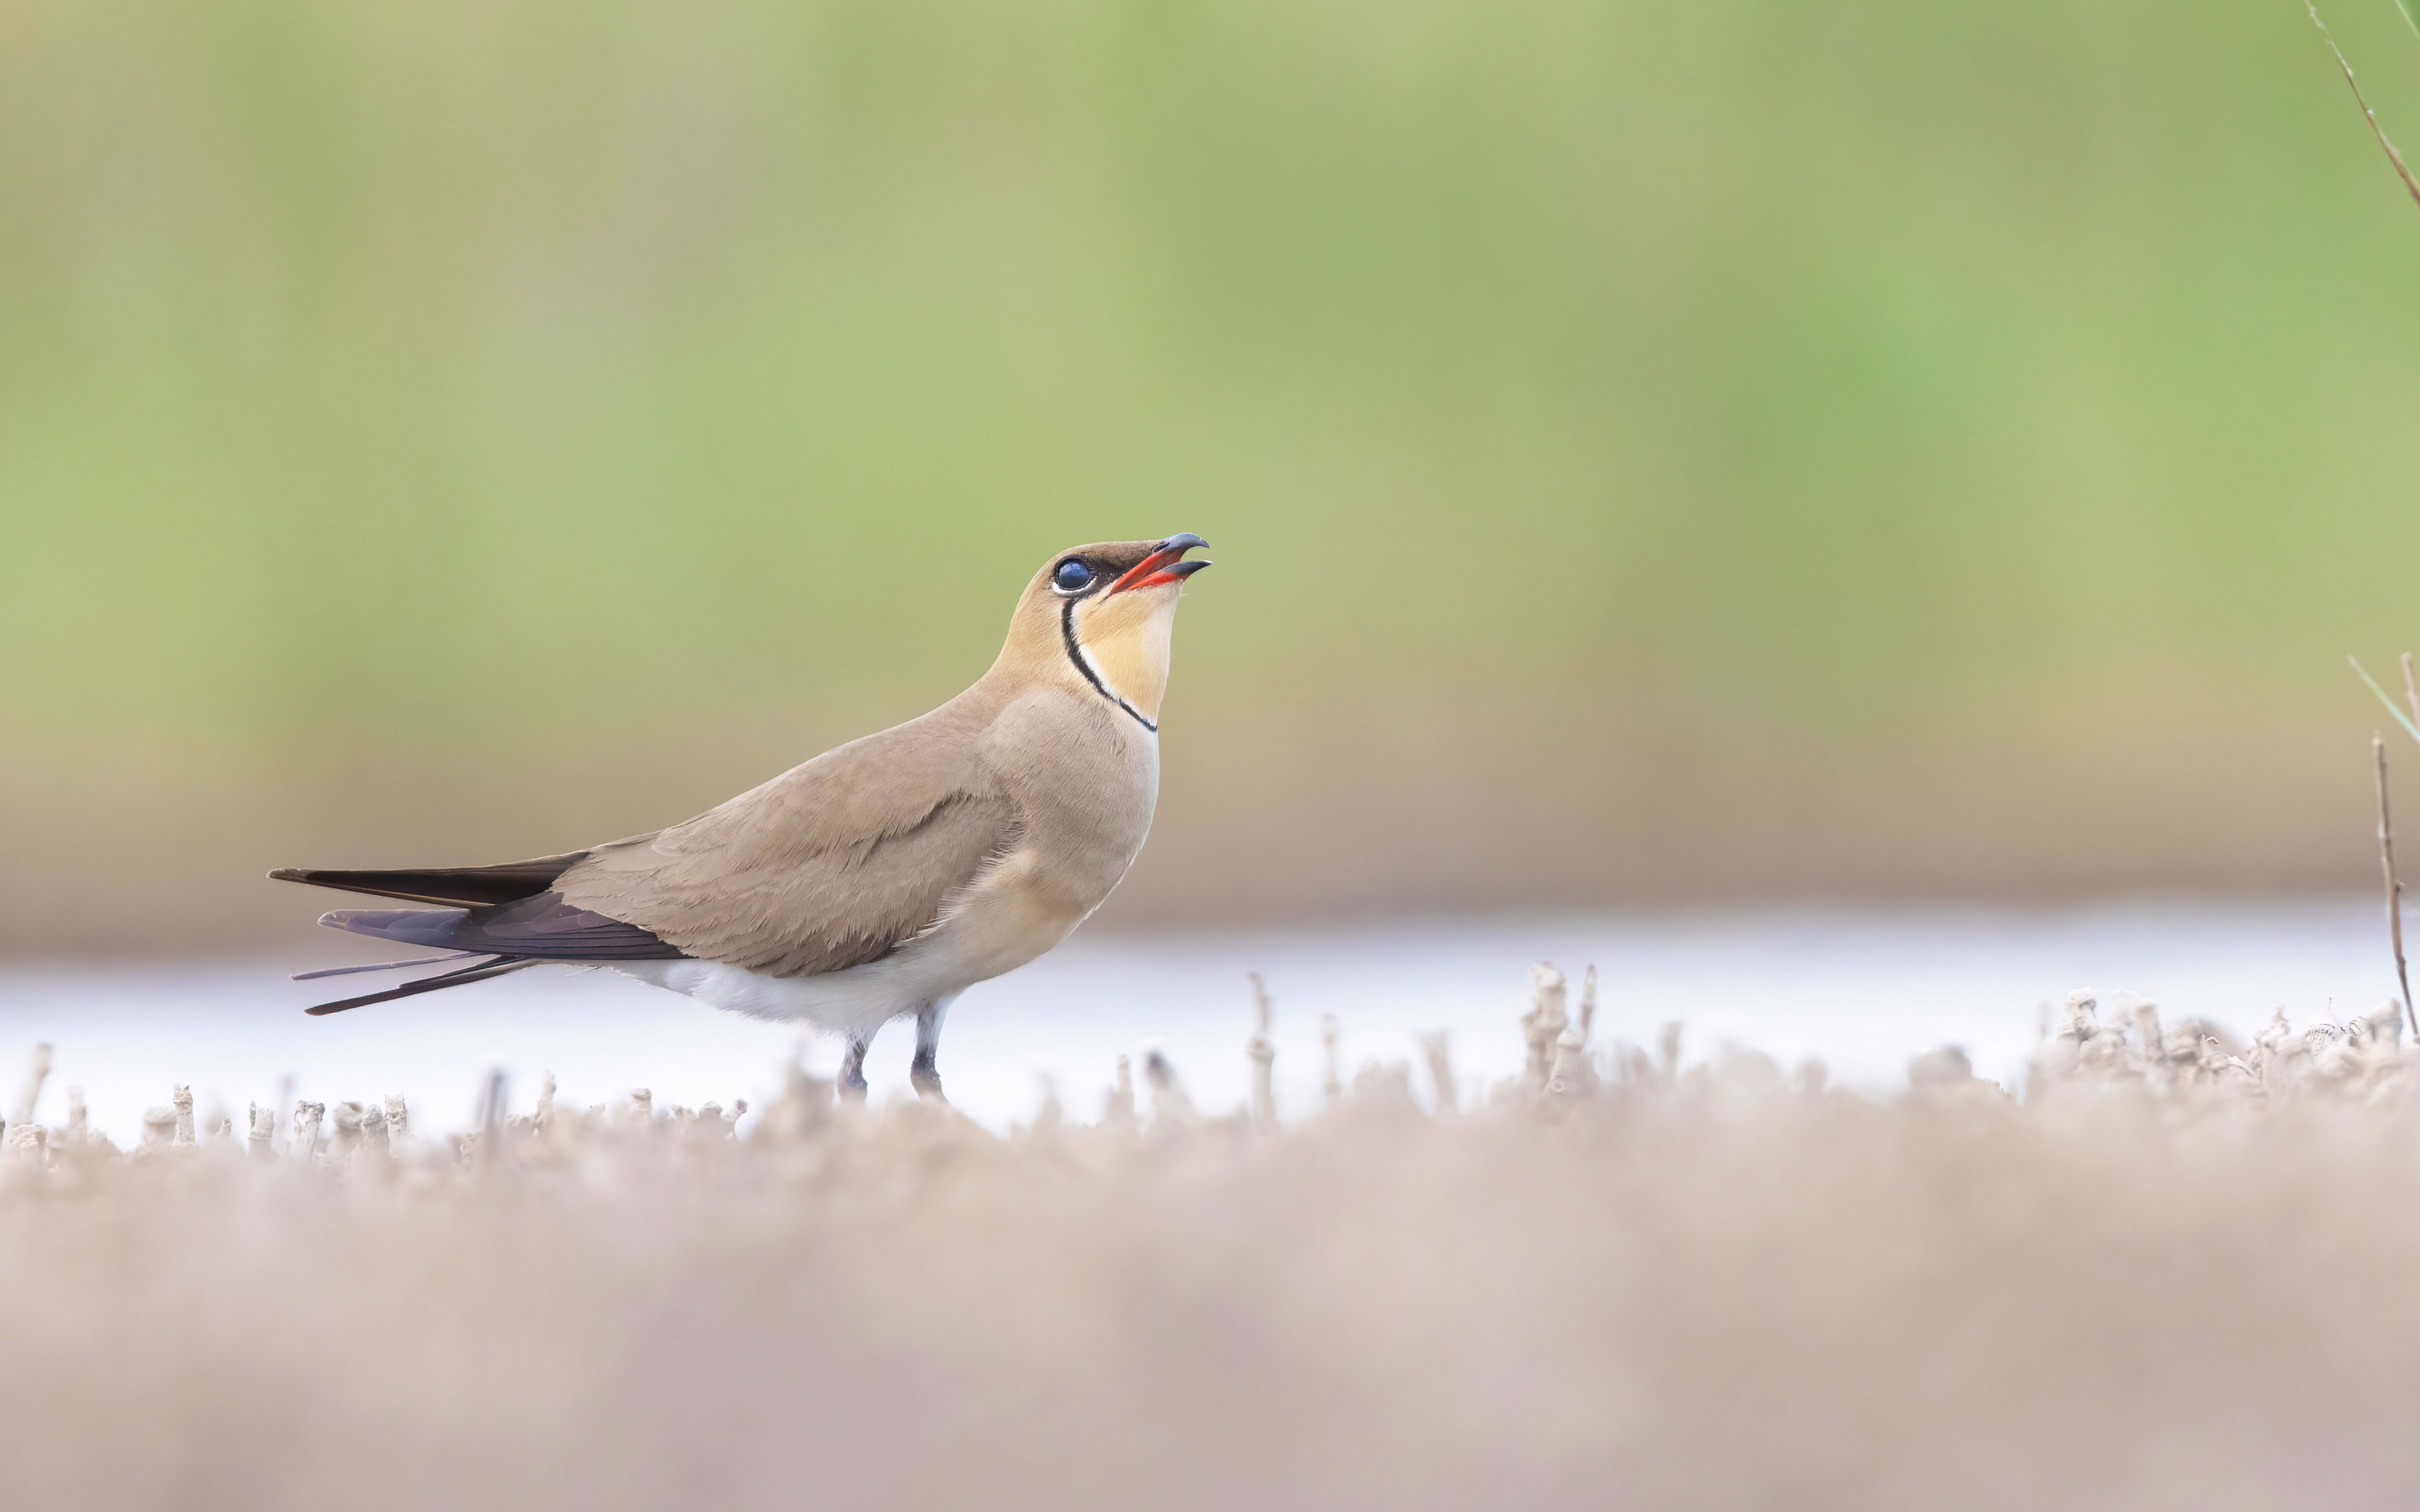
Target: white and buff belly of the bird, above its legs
998,925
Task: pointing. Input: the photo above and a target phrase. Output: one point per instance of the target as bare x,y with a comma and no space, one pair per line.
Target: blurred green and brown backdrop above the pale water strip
1654,451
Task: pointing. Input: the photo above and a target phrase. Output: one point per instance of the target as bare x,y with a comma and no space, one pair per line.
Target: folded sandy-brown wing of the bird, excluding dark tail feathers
826,867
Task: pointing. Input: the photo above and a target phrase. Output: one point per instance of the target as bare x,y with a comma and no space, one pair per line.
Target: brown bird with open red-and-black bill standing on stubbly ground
880,879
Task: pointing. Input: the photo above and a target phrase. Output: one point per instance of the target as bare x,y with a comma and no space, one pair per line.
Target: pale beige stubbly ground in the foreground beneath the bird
2177,1274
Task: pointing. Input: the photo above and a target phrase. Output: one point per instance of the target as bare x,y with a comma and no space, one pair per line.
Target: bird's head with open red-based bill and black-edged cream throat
1102,618
